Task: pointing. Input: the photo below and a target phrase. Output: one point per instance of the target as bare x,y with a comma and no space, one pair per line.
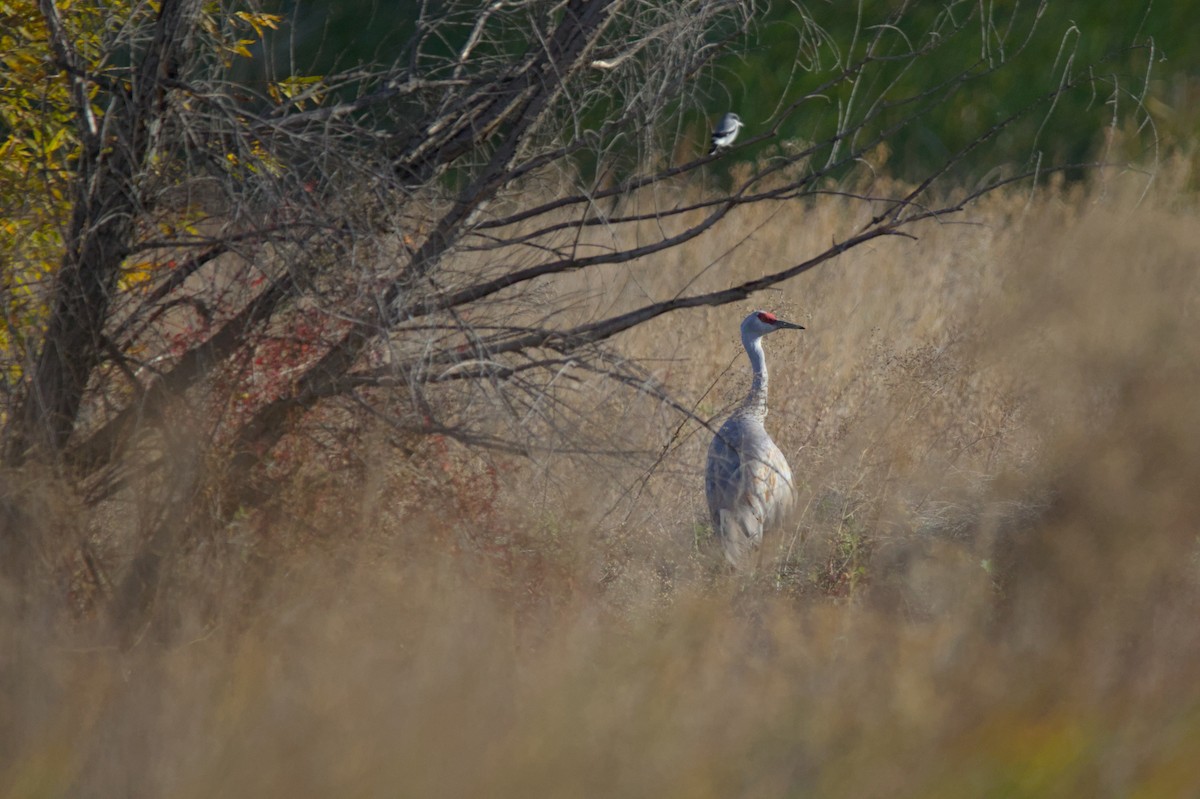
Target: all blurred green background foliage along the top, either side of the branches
1120,55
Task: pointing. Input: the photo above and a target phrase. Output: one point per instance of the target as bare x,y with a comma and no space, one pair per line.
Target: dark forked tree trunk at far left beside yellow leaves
106,203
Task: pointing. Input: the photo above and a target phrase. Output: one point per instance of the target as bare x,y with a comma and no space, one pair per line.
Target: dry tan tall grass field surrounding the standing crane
992,587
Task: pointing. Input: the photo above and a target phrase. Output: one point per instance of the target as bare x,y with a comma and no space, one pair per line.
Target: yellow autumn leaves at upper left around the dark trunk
40,153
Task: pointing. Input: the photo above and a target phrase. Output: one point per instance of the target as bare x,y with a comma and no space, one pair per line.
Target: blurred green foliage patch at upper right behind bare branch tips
1108,50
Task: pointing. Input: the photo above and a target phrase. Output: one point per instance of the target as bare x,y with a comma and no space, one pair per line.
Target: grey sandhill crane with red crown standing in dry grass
748,482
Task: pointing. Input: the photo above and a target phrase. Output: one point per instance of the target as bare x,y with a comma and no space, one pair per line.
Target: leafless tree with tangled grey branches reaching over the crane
383,235
